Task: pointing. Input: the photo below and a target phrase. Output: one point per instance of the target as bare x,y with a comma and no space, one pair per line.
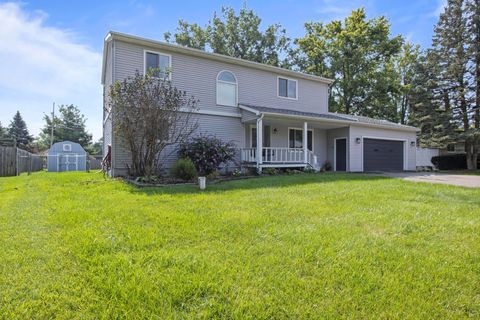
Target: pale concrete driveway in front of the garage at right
461,180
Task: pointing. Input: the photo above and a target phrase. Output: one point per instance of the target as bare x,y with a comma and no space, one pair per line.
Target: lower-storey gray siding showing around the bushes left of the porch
224,128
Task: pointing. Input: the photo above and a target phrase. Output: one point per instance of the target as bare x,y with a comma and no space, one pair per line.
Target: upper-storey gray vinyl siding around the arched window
198,77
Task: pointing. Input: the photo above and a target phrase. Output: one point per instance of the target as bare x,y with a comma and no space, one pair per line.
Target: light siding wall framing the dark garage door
356,149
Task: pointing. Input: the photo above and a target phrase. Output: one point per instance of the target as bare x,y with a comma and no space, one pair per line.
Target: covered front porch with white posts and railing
277,141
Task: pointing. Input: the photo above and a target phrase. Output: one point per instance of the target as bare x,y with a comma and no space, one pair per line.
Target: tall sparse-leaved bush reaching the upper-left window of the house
150,114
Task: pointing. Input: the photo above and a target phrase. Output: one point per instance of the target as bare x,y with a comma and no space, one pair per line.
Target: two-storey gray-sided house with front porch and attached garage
277,117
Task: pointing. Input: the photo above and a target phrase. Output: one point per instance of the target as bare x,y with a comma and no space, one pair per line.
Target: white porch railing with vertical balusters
273,155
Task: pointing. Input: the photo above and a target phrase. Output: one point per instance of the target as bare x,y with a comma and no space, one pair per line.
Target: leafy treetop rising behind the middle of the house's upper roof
237,35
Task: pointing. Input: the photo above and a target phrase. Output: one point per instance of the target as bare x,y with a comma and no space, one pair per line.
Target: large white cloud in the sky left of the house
40,64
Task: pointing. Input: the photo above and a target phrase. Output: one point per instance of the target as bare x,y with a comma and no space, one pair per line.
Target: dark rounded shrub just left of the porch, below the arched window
207,153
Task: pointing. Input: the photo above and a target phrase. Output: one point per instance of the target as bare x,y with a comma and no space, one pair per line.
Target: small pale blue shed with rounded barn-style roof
66,156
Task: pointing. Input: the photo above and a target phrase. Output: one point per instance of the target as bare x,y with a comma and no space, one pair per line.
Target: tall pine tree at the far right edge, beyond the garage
452,50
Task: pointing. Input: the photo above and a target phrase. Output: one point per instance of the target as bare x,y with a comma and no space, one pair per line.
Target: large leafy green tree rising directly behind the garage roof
357,53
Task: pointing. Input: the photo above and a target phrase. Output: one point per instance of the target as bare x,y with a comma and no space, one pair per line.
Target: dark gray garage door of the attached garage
382,155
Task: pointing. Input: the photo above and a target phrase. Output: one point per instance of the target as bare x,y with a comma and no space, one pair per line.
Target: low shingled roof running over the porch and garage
334,117
